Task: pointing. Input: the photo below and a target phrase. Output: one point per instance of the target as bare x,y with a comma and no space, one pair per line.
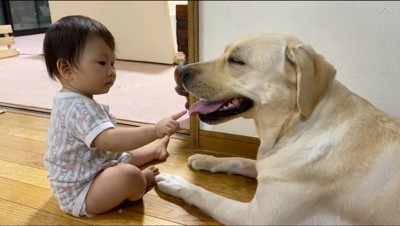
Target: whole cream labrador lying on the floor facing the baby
327,156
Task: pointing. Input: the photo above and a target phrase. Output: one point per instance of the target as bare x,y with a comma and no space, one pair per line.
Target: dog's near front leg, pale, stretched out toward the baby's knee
225,211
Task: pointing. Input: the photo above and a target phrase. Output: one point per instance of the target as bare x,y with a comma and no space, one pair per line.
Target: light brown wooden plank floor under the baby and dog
26,199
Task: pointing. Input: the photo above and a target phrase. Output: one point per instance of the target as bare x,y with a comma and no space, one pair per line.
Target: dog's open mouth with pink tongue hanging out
213,112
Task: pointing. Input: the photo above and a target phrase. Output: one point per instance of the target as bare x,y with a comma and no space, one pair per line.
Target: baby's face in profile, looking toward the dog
96,71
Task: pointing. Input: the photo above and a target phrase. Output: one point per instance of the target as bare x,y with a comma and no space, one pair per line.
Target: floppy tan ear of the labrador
314,76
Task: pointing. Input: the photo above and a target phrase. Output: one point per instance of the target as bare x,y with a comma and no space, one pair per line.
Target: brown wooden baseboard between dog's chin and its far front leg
231,144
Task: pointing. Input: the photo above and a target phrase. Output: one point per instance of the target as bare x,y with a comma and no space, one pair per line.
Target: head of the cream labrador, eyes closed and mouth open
271,73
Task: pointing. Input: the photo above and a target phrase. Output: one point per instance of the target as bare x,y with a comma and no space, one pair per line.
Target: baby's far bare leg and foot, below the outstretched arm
146,154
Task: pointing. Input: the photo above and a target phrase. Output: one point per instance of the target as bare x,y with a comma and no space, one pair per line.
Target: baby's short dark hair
66,39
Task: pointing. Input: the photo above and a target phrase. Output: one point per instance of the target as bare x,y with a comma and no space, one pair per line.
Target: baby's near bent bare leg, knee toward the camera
116,184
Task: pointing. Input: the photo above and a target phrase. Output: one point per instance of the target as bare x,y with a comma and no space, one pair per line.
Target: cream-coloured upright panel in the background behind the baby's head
142,29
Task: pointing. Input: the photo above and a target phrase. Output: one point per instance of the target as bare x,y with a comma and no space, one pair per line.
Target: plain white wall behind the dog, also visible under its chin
360,38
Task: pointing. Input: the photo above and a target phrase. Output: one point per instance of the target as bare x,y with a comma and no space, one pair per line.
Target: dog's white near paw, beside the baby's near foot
172,184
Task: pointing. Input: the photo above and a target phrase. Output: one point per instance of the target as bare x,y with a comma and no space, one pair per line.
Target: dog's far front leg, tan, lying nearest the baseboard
230,165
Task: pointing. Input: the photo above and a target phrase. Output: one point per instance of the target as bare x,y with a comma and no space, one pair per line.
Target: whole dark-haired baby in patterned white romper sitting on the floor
93,165
